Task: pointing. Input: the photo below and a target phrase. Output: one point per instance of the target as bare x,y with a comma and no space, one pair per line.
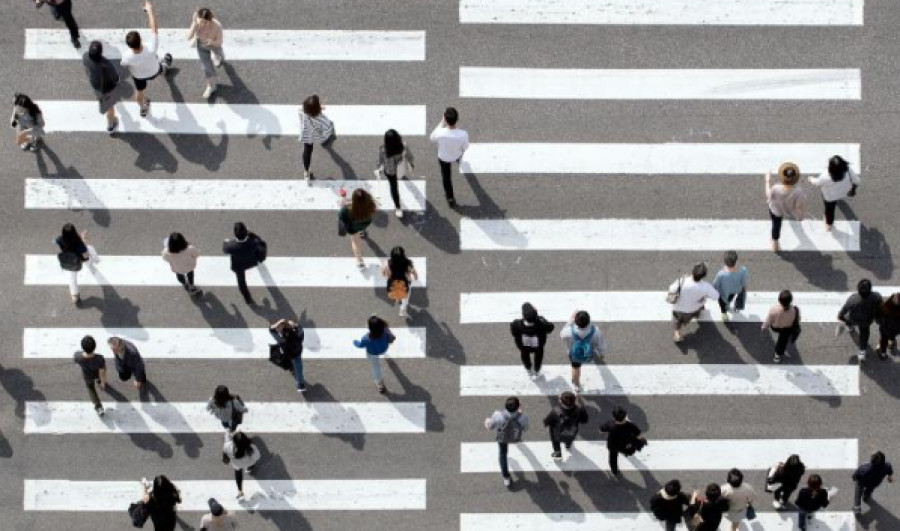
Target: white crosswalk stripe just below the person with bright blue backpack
664,380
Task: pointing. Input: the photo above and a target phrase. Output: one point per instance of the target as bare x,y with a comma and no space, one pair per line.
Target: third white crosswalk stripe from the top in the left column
209,194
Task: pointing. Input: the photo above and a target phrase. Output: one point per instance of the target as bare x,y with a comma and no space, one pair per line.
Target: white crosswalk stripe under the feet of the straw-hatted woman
653,235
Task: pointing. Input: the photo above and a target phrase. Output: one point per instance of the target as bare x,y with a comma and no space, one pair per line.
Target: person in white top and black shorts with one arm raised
141,60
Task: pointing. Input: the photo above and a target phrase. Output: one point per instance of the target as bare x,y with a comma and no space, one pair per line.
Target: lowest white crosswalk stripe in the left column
261,495
